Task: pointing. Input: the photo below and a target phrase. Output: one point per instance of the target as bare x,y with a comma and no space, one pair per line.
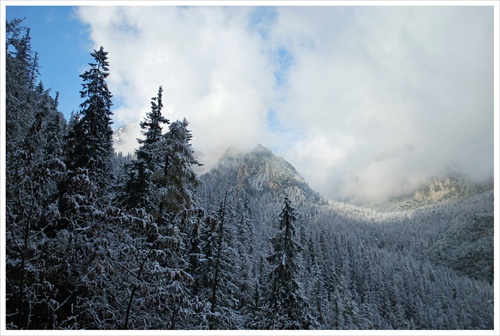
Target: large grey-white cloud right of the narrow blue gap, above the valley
404,93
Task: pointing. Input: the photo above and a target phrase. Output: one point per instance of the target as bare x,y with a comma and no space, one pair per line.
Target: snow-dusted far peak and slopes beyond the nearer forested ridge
447,221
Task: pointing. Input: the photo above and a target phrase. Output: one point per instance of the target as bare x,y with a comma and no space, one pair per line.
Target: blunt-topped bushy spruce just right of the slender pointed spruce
174,183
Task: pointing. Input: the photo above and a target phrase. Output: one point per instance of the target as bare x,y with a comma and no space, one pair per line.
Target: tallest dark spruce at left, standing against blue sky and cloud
88,149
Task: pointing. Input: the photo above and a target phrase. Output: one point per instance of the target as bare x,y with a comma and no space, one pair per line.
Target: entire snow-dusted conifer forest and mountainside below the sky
100,240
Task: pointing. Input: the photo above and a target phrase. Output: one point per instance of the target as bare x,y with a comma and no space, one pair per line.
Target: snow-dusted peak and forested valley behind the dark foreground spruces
365,268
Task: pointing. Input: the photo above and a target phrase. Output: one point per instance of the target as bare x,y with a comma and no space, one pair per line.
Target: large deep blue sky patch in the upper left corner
63,45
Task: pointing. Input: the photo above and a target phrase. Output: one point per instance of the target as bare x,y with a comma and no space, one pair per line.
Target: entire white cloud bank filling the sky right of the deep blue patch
371,100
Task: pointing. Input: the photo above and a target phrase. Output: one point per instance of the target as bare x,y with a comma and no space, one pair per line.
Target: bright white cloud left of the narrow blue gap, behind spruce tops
212,69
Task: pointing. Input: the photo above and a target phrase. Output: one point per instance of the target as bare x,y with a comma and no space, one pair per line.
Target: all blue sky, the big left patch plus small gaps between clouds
63,44
